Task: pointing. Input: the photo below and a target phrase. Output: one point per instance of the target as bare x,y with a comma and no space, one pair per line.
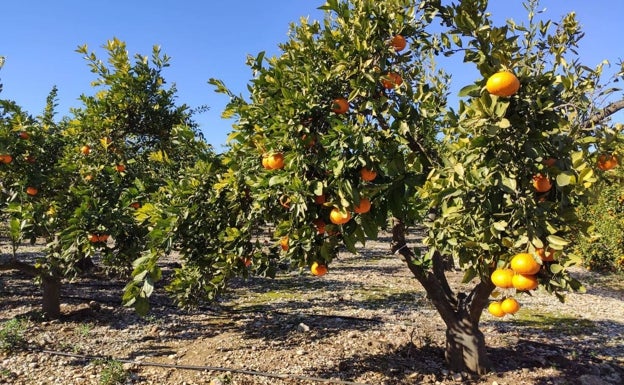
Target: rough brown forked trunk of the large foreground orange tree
465,343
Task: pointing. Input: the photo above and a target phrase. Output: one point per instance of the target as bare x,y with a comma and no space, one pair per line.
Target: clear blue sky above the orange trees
205,38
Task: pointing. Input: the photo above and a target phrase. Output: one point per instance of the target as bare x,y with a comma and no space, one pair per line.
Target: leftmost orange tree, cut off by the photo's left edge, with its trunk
30,148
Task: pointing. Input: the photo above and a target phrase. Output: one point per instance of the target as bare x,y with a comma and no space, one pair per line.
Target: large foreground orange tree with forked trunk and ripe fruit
497,178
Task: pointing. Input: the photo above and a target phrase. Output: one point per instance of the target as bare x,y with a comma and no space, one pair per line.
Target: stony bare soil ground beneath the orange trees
366,322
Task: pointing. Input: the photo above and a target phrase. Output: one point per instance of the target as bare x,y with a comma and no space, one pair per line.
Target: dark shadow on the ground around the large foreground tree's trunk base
408,363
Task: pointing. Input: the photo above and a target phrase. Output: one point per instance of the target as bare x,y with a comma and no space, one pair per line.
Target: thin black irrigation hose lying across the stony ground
202,368
